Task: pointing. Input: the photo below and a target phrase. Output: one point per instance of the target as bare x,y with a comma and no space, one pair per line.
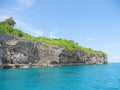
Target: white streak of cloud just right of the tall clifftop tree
28,29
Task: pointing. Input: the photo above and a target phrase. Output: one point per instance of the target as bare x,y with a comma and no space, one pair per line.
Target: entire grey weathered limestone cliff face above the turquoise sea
17,53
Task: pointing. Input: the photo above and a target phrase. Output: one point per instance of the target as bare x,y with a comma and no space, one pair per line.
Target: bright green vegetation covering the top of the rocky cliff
7,27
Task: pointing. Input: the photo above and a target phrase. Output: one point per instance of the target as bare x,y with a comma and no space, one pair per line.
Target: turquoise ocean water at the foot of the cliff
83,77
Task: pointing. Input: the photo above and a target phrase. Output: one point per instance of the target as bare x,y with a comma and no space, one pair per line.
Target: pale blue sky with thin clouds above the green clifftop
91,23
